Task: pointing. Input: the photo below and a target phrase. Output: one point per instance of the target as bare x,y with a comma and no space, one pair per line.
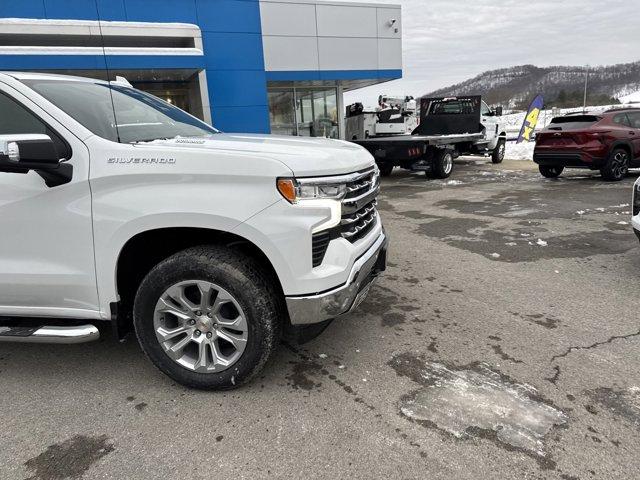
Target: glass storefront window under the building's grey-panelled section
307,112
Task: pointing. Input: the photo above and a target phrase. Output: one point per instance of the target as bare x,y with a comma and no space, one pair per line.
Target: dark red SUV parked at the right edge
609,142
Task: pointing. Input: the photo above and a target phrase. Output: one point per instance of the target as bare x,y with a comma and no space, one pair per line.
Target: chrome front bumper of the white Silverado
310,309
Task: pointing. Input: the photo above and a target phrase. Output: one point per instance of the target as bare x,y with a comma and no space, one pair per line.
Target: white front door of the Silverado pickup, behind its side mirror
46,246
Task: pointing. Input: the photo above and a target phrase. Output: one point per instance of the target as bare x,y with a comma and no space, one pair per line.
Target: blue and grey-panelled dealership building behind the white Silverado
277,66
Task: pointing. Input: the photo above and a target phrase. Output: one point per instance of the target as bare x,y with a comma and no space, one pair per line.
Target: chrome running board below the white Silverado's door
53,334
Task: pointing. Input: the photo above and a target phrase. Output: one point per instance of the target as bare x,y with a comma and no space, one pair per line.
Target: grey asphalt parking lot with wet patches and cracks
502,343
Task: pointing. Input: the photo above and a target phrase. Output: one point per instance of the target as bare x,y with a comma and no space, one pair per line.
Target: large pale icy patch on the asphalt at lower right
475,401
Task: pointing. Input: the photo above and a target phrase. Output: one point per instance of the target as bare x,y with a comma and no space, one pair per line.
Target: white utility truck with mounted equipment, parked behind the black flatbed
394,116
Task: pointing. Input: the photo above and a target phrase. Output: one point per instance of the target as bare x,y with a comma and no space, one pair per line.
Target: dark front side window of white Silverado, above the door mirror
17,120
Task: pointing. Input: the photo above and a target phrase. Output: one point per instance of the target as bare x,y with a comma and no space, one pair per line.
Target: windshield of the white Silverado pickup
140,117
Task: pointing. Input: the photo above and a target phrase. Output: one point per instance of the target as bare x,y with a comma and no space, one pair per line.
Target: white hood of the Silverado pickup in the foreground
306,157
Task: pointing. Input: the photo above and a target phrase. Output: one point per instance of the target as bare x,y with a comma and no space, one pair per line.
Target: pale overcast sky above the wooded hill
448,41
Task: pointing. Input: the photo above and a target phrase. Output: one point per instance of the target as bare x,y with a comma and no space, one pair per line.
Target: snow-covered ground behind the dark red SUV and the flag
513,123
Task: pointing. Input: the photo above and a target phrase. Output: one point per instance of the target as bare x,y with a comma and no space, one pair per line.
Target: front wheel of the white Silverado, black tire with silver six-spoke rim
167,302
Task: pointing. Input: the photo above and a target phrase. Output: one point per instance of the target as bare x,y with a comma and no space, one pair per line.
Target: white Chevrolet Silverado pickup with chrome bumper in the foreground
116,207
